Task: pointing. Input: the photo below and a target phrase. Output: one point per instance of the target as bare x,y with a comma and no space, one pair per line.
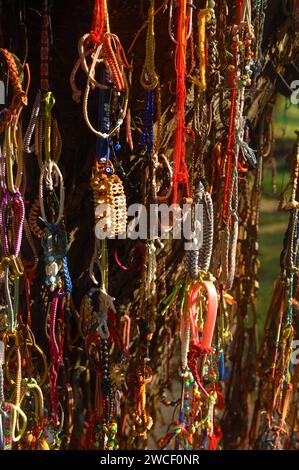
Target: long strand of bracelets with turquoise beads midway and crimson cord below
47,147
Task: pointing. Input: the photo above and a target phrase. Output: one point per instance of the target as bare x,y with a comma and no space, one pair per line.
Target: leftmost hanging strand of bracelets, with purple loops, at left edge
12,220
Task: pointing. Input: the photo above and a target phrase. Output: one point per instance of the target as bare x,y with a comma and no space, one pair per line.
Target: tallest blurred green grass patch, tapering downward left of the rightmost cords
273,223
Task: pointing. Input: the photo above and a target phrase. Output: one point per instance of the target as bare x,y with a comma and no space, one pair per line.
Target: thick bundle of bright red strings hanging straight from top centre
180,173
